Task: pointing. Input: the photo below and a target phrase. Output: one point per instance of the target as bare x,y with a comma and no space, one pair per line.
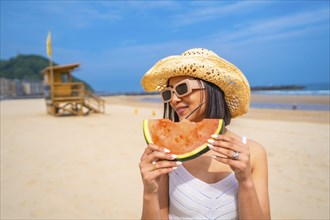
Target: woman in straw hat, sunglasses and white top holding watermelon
228,182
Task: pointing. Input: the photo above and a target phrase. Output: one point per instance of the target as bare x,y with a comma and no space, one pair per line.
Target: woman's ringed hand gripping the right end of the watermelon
234,153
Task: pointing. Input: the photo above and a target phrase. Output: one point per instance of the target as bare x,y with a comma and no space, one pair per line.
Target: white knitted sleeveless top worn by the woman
191,198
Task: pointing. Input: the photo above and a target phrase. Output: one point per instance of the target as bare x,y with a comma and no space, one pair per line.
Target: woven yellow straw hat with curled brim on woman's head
206,65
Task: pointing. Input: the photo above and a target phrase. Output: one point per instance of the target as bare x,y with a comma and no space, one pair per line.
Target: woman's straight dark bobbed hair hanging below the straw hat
216,106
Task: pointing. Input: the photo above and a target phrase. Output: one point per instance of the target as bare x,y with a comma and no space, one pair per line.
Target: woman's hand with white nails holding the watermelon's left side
156,161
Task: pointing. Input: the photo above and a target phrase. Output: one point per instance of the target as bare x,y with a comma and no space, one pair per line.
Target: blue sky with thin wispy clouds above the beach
116,42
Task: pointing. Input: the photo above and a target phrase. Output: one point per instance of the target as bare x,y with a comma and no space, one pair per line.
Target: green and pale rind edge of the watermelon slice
187,156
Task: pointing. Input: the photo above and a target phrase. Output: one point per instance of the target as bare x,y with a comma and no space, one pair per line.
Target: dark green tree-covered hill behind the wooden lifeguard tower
28,67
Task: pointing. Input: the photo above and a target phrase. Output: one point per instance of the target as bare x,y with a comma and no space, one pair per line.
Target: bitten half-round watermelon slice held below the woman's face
186,139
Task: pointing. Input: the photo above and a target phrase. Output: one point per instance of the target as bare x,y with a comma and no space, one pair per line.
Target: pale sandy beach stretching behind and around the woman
86,167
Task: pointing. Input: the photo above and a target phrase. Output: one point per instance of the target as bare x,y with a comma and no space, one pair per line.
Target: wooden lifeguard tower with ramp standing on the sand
65,97
